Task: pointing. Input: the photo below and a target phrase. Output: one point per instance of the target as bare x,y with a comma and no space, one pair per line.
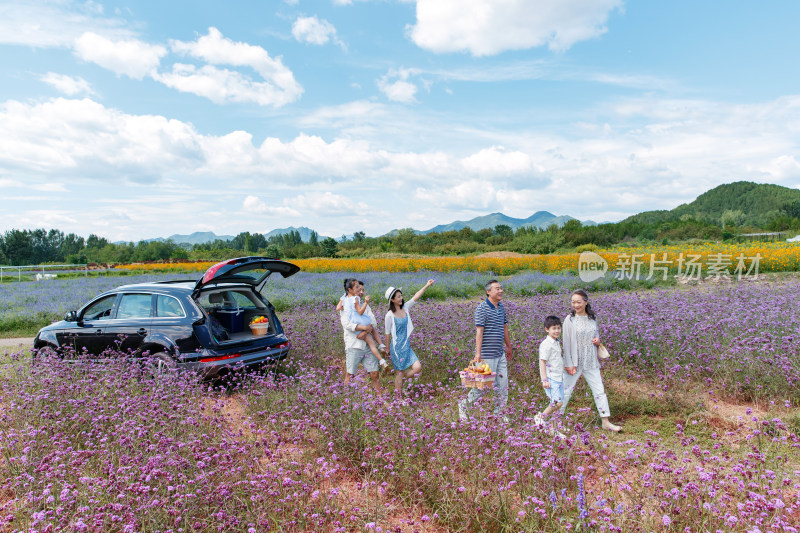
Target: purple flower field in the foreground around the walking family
703,379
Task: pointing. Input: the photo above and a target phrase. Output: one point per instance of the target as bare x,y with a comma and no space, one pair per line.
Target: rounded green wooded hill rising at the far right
742,203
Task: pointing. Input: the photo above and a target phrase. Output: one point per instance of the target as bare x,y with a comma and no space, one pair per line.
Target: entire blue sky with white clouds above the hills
138,120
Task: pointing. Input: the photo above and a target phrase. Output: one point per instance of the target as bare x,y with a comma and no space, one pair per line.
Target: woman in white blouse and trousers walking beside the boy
581,339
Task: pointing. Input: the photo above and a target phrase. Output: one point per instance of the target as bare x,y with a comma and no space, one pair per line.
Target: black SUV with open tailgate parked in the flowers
202,326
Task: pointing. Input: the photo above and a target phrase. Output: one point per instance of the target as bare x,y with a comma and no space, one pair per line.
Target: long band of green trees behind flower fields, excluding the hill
21,247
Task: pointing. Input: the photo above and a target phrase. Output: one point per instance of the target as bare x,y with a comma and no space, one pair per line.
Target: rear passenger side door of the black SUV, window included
131,323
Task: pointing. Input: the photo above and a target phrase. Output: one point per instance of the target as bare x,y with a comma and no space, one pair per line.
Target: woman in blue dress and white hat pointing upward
398,328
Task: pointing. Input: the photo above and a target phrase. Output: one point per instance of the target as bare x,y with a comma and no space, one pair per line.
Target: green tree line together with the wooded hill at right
718,214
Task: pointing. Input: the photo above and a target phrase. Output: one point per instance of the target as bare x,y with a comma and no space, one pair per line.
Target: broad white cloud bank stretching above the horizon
674,152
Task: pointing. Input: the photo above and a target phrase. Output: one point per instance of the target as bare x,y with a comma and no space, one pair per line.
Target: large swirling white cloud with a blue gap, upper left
223,85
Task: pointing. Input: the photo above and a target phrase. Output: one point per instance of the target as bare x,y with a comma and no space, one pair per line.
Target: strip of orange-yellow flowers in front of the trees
772,257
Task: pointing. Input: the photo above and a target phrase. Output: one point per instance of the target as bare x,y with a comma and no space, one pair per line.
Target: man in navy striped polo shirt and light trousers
491,334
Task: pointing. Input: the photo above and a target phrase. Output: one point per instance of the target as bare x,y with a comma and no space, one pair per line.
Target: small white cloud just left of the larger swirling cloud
132,57
